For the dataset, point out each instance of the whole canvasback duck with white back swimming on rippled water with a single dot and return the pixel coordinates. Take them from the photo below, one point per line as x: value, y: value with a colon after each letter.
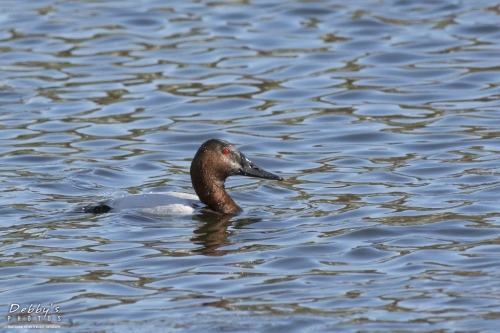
x: 214, y: 161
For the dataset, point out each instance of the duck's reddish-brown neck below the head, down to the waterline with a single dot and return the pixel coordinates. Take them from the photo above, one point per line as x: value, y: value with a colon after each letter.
x: 214, y: 195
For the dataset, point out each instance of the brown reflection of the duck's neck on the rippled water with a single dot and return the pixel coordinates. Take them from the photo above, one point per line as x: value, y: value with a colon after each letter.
x: 213, y: 233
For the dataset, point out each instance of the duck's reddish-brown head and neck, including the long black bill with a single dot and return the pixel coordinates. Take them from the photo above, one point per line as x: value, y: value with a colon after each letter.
x: 214, y: 161
